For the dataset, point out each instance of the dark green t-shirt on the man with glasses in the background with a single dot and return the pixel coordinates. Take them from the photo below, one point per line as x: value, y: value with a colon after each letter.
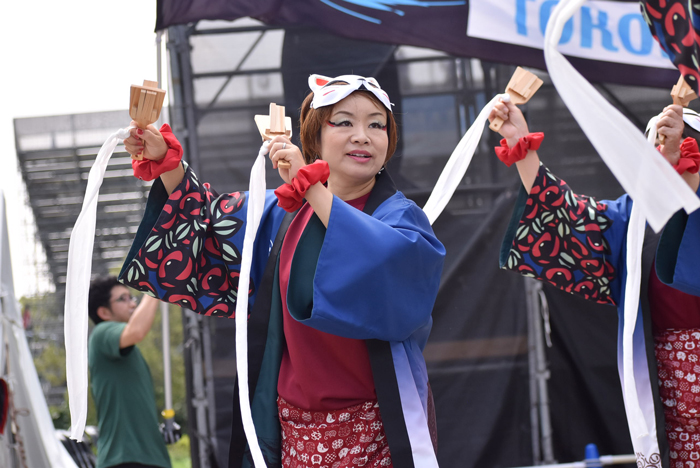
x: 126, y: 407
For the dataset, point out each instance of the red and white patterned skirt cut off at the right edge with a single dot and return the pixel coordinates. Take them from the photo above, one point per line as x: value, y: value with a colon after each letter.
x: 678, y: 358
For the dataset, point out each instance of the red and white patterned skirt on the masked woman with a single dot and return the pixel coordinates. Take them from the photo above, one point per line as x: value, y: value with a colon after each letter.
x: 351, y: 437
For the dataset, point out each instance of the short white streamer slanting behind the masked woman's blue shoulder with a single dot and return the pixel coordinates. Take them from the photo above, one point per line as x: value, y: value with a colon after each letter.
x: 458, y: 163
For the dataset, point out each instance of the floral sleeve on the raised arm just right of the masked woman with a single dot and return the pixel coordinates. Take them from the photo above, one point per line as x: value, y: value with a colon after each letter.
x: 570, y: 241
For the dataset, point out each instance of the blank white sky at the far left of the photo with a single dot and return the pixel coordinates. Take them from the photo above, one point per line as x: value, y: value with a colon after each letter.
x: 63, y: 57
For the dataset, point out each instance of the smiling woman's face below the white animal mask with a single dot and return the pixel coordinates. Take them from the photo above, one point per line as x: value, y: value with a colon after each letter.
x: 354, y: 141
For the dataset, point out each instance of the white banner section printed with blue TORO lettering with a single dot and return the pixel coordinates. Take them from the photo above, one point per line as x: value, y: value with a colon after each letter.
x: 601, y: 30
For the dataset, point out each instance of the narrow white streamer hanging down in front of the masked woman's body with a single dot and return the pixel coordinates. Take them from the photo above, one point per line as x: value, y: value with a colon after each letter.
x: 256, y: 205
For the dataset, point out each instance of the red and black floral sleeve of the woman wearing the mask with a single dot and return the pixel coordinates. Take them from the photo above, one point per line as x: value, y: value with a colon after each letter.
x: 188, y: 246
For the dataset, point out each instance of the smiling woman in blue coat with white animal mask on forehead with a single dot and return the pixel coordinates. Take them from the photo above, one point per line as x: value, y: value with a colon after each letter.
x: 341, y: 303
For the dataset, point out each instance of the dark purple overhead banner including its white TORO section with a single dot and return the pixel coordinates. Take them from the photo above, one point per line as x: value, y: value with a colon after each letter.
x: 607, y: 40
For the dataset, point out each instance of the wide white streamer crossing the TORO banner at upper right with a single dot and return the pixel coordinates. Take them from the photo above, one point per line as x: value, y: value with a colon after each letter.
x: 636, y: 164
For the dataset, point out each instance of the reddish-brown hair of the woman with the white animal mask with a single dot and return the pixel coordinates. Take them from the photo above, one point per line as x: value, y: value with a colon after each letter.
x: 311, y: 121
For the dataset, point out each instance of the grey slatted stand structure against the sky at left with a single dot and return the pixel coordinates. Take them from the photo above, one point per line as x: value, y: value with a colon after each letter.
x: 55, y: 155
